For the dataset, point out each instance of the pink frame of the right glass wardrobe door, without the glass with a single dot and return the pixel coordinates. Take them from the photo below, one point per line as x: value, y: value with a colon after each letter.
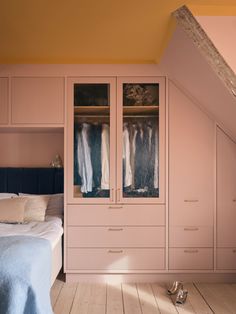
x: 141, y: 80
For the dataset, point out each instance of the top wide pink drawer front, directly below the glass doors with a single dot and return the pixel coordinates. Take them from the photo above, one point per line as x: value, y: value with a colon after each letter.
x: 115, y: 215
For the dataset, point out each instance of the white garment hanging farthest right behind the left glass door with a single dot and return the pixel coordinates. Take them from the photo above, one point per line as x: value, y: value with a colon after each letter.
x: 105, y: 157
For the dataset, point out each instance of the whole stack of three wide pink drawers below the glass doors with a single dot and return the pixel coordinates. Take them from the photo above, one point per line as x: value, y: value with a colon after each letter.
x: 115, y: 238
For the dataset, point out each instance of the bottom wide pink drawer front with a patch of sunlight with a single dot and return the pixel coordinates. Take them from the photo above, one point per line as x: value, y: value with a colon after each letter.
x: 115, y: 259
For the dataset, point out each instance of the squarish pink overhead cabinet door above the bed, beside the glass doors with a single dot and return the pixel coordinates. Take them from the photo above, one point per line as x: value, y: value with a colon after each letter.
x: 37, y: 100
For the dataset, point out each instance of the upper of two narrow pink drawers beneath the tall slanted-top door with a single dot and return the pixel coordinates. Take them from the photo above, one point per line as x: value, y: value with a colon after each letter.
x: 191, y: 236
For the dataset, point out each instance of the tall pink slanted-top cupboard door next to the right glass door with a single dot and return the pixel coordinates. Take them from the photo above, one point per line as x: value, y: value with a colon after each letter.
x: 191, y: 162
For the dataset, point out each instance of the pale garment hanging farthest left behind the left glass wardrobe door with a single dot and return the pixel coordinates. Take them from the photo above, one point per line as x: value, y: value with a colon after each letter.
x: 84, y: 159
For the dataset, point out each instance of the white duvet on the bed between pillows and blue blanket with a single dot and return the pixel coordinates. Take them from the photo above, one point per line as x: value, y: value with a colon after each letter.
x: 50, y: 229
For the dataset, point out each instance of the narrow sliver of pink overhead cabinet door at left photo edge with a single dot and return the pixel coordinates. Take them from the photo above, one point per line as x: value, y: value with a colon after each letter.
x: 4, y: 85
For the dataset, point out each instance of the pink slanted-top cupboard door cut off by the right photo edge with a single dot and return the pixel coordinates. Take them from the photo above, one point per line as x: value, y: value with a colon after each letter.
x: 226, y: 190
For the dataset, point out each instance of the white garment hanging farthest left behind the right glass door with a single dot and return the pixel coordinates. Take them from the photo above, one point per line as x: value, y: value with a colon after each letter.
x: 126, y: 157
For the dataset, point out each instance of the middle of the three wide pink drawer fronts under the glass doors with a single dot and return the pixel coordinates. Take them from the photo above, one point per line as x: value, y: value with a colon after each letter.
x: 116, y: 236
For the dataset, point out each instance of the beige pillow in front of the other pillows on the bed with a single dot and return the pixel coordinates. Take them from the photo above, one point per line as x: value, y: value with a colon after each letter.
x: 12, y: 209
